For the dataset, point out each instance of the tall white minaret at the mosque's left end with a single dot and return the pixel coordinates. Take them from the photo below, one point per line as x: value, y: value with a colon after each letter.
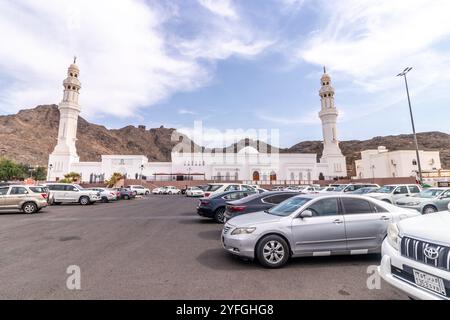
x: 65, y: 152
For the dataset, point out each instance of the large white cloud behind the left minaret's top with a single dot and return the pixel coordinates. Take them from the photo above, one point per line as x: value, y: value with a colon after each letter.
x: 127, y: 56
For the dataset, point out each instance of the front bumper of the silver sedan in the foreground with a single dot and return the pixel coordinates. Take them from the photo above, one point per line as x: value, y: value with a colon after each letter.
x: 239, y: 245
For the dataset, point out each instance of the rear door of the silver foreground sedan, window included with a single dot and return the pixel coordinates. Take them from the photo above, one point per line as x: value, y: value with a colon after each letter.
x: 365, y: 223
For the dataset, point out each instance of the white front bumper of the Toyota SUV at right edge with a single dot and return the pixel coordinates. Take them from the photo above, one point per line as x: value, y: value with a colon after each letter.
x: 393, y: 264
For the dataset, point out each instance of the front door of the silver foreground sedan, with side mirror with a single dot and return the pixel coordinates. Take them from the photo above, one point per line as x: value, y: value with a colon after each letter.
x: 323, y: 233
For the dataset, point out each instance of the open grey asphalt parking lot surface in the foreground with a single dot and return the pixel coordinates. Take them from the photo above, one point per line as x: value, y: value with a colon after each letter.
x: 157, y: 248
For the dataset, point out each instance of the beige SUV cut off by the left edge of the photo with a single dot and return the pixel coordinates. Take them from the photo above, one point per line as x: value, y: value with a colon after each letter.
x: 27, y: 199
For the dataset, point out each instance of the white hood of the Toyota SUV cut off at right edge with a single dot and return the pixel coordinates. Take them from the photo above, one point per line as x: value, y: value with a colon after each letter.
x: 433, y: 227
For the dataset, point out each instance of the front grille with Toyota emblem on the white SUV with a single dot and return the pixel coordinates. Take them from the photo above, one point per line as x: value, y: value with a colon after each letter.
x: 414, y: 249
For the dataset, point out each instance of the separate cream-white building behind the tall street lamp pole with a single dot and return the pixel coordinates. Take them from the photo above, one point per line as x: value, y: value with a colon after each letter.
x: 382, y: 163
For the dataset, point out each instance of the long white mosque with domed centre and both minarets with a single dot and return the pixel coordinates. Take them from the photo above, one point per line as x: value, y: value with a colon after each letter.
x: 248, y: 164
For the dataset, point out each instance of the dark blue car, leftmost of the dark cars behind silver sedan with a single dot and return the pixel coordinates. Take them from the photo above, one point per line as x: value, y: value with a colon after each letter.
x: 214, y: 207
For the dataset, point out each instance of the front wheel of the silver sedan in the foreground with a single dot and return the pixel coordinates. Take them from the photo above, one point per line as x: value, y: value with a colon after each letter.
x: 272, y: 251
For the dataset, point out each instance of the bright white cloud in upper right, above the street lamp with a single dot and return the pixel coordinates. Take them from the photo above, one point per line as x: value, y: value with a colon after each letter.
x: 370, y: 42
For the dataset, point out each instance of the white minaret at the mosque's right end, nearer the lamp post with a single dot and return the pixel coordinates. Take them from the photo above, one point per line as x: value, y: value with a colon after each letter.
x: 332, y: 154
